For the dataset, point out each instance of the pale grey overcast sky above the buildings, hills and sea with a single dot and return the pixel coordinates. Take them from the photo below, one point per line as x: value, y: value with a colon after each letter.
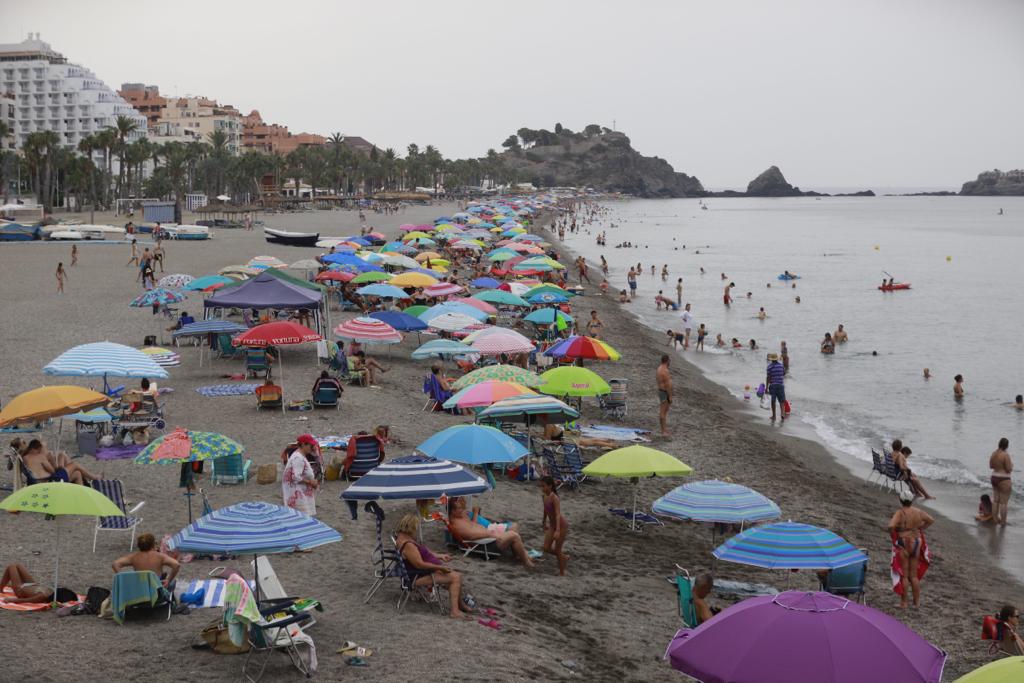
x: 858, y: 94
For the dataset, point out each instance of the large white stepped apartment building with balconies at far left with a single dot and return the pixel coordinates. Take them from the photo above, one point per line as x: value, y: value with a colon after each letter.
x: 52, y: 94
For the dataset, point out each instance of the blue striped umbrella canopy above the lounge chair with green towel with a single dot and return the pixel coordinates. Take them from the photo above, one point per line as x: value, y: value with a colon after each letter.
x: 253, y: 529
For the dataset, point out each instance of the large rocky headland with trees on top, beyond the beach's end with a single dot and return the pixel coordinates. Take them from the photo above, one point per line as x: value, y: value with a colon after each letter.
x: 596, y: 158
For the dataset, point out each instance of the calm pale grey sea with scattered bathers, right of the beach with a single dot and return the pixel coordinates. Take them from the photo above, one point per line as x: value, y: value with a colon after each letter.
x: 965, y: 315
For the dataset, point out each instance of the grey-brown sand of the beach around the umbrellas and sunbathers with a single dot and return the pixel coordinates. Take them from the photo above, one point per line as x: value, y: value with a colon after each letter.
x: 611, y: 619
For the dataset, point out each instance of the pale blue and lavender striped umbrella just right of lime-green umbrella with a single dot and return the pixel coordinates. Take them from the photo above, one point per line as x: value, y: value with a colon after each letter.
x: 715, y: 501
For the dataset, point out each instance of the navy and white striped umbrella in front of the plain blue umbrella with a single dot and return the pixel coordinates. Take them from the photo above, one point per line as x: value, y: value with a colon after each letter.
x: 415, y: 479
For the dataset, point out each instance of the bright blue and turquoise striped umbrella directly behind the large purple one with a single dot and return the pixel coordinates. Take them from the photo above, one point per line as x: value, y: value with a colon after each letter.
x: 790, y: 546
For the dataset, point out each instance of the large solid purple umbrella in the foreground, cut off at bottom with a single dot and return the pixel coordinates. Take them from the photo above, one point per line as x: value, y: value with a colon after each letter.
x: 797, y: 636
